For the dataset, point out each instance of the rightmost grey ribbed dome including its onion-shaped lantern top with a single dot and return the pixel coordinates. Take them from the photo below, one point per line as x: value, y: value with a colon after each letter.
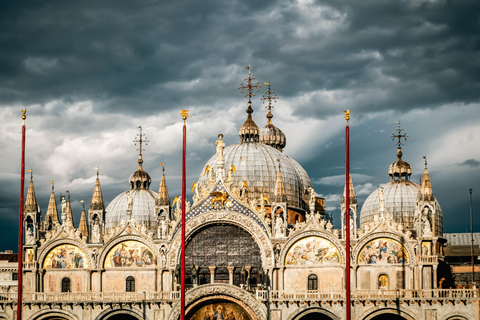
x: 400, y: 198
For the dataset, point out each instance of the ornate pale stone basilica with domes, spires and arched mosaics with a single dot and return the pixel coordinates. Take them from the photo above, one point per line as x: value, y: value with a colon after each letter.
x: 259, y: 245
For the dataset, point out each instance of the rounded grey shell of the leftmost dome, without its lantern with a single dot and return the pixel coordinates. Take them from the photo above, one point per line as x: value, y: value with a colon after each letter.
x: 143, y: 208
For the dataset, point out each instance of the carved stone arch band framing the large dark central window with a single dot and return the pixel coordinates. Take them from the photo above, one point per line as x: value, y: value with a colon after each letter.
x: 224, y: 217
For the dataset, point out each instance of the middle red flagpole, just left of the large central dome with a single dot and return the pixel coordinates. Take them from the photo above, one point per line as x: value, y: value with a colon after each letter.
x: 184, y: 114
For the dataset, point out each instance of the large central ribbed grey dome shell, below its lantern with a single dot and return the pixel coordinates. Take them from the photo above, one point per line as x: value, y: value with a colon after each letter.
x: 258, y: 164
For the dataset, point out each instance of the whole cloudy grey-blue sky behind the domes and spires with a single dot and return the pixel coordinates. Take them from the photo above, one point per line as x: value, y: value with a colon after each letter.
x: 90, y: 72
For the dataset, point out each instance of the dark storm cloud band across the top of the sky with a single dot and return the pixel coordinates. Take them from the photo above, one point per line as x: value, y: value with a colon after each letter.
x: 386, y: 55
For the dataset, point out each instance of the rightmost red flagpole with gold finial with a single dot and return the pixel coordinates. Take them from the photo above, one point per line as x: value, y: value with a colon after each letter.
x: 347, y: 215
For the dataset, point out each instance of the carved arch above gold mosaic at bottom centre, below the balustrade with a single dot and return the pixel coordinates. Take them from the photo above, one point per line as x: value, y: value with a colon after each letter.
x: 224, y: 292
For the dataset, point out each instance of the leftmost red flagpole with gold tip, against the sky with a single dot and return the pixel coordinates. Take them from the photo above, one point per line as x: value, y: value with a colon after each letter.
x: 20, y: 222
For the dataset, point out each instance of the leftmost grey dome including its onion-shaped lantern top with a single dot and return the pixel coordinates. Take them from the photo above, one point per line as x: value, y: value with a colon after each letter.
x: 143, y: 201
